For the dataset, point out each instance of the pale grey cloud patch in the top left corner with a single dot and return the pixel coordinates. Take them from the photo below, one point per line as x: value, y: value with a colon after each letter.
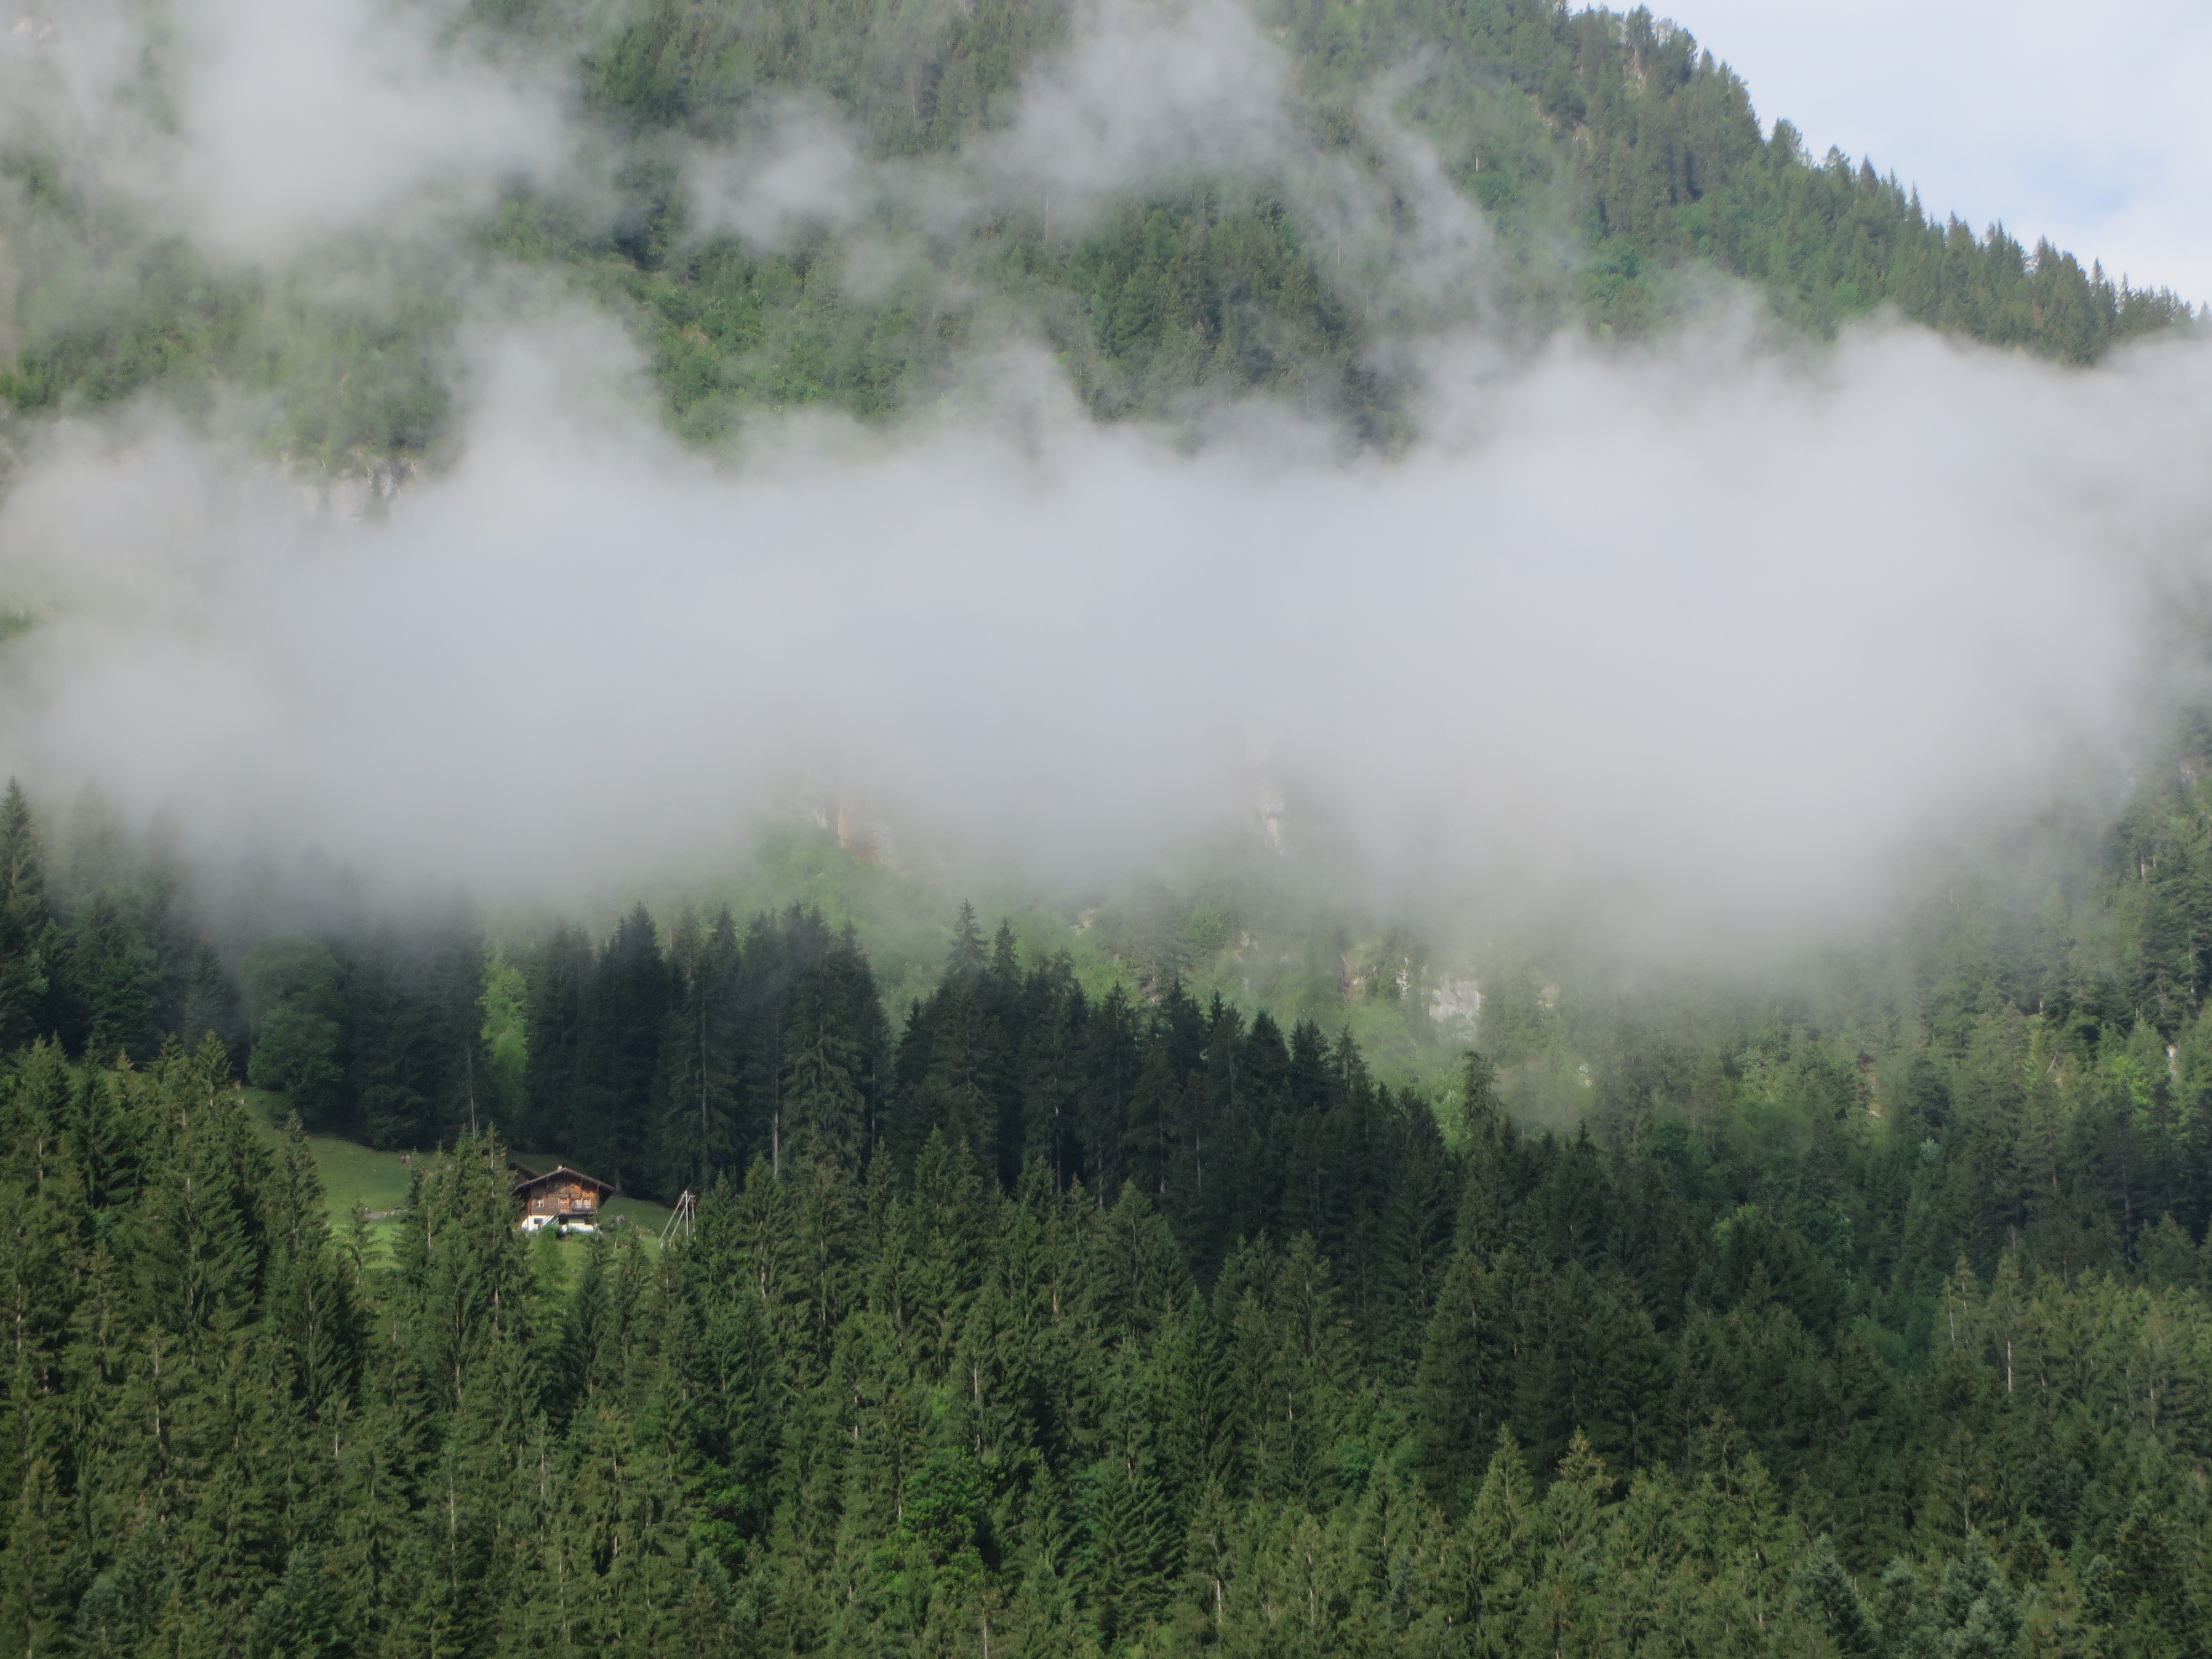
x: 262, y: 127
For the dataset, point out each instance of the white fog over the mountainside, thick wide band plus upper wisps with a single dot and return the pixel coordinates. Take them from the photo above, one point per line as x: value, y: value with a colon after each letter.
x: 1707, y: 634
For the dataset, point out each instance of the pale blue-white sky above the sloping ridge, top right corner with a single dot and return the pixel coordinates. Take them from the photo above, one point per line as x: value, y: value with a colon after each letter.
x: 2074, y: 123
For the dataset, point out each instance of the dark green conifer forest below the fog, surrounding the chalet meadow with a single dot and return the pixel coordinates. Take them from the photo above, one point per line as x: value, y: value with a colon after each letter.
x: 1872, y: 1324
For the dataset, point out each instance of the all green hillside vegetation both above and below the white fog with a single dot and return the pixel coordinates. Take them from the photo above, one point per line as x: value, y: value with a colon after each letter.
x: 1204, y: 1269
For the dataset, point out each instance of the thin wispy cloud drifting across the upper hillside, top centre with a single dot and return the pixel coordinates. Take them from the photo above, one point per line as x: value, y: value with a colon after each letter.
x: 1147, y: 98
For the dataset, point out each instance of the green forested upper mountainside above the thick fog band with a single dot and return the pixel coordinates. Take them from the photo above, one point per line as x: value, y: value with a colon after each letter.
x: 1618, y: 163
